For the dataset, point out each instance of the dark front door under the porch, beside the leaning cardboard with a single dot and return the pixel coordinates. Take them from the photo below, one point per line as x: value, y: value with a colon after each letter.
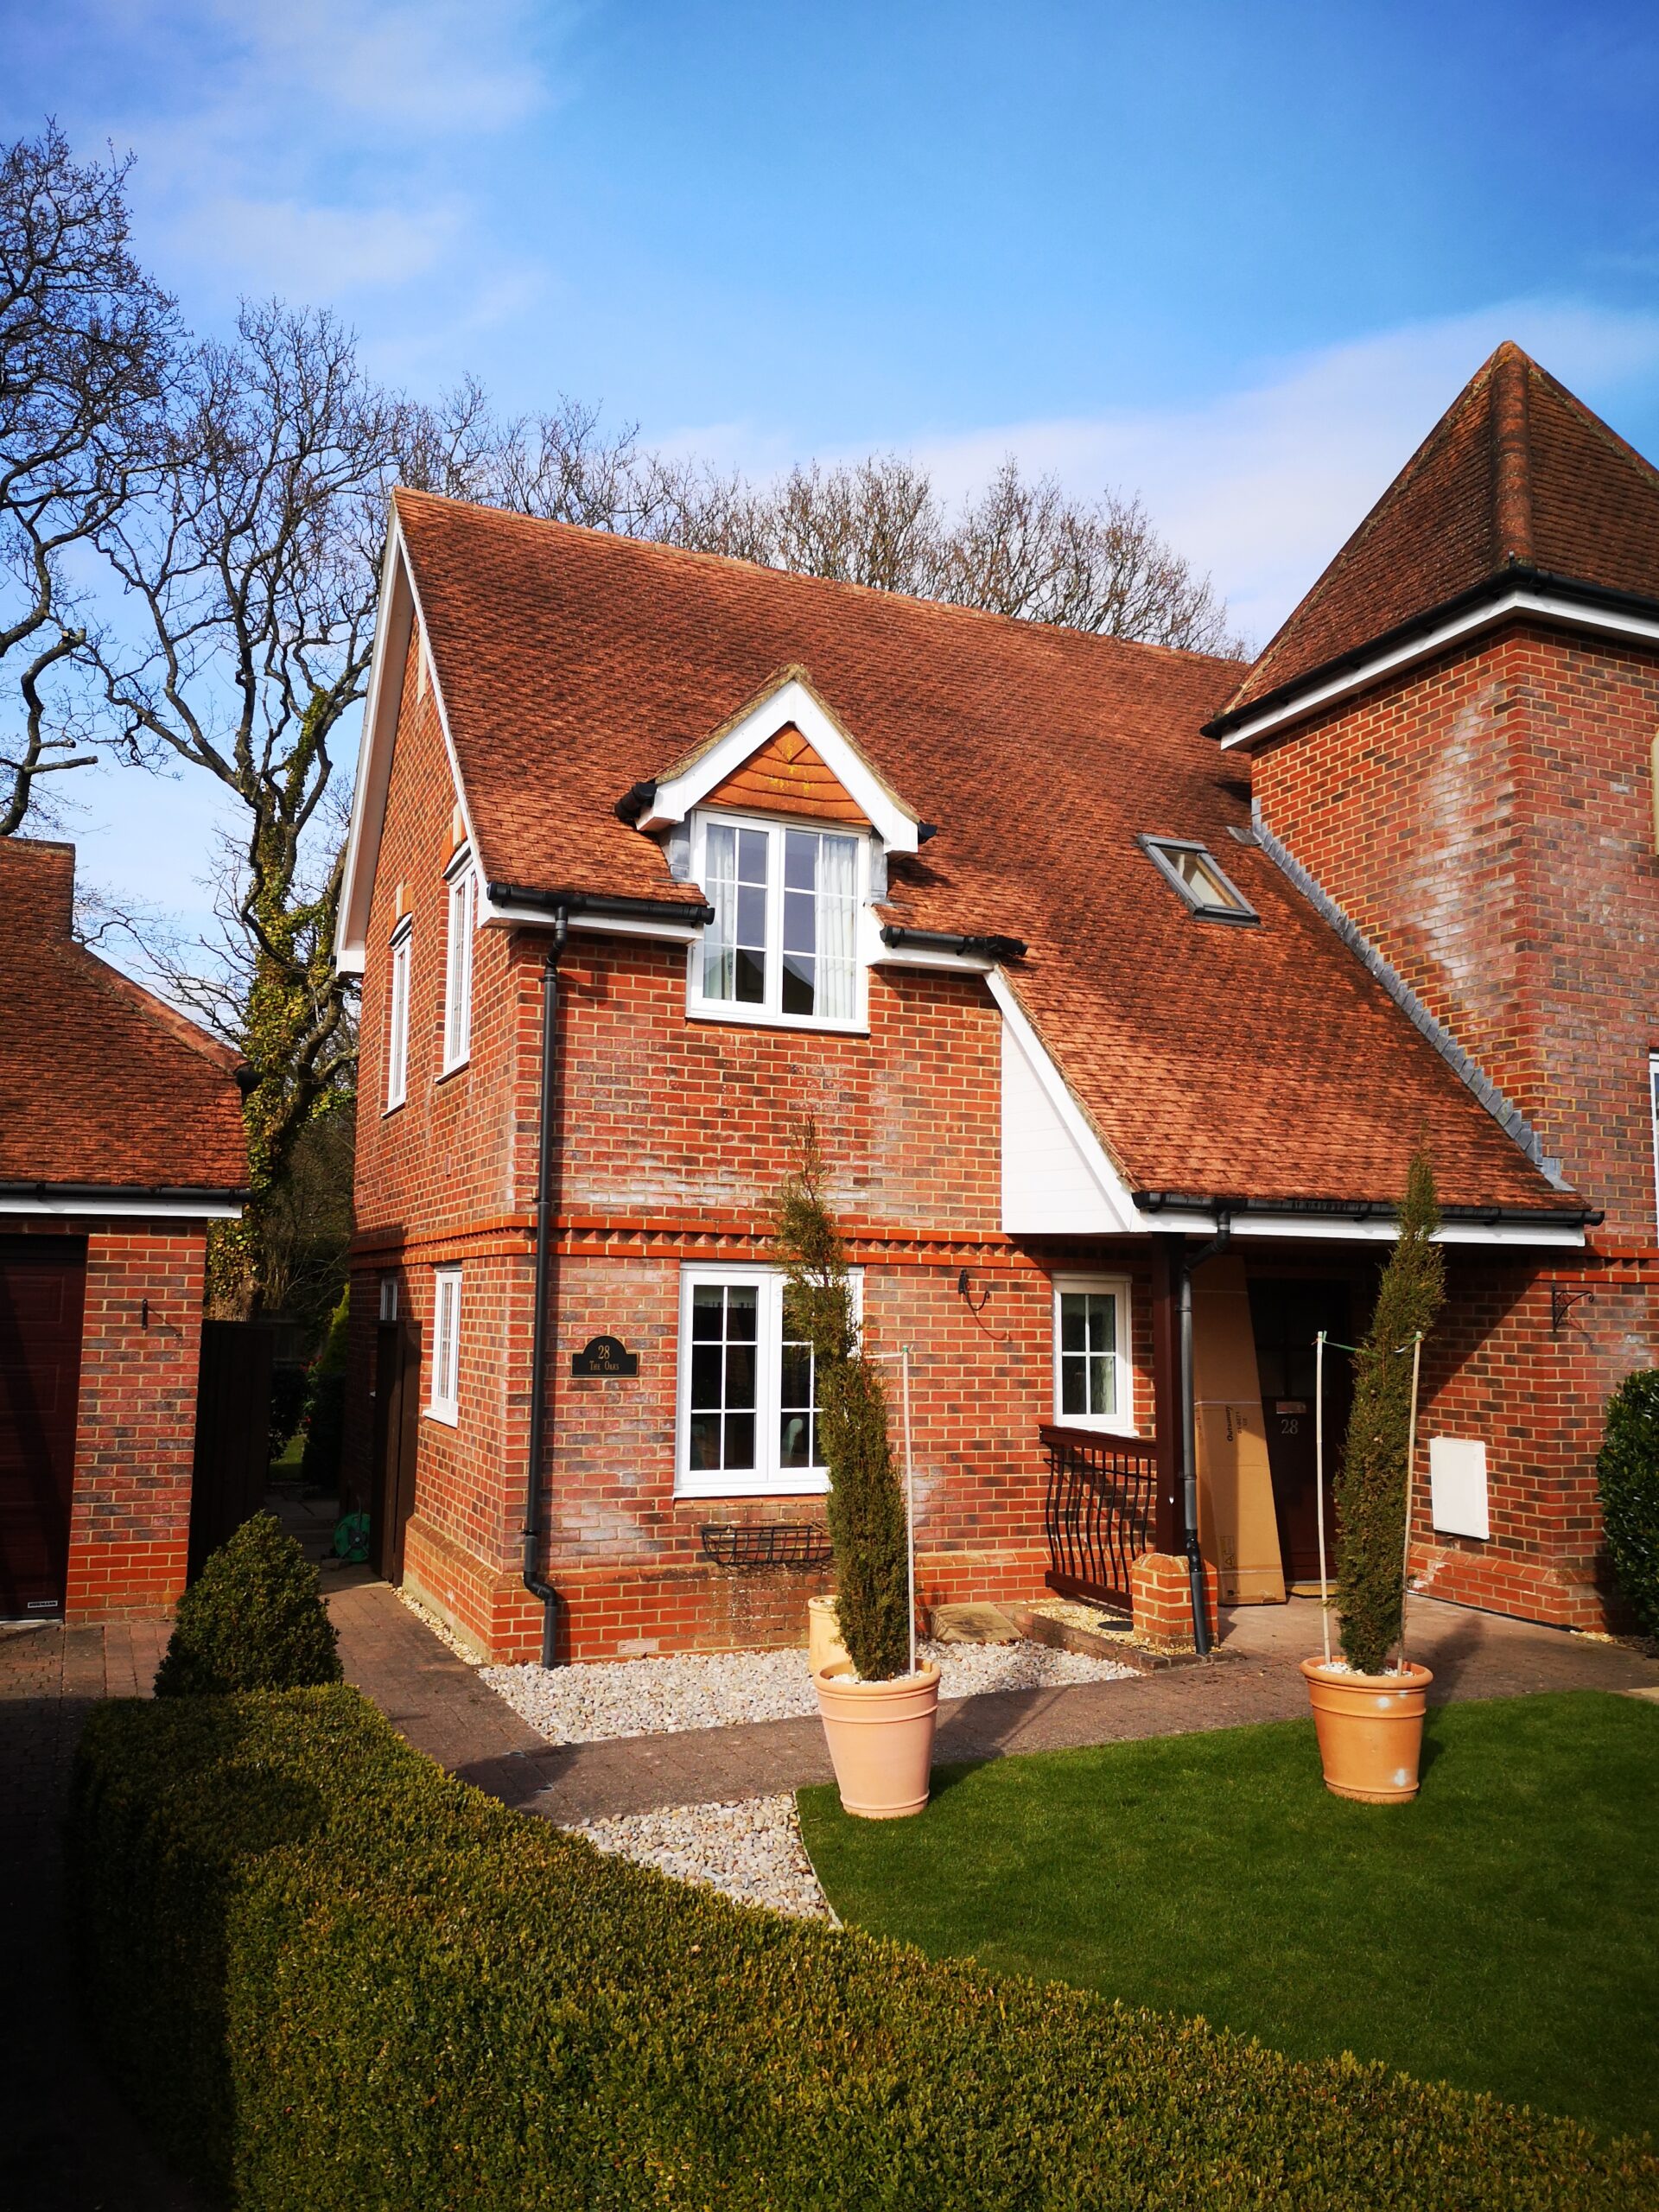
x: 1288, y: 1317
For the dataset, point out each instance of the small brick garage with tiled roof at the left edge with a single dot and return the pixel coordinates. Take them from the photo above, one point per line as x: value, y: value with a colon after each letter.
x: 121, y: 1140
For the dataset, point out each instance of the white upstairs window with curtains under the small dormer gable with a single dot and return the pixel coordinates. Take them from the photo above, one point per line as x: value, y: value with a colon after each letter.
x: 784, y: 939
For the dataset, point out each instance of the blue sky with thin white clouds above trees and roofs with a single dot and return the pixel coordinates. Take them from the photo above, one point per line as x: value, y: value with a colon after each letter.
x: 1235, y: 258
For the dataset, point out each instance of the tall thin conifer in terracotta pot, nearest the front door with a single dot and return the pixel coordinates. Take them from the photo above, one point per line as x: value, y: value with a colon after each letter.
x: 1368, y: 1704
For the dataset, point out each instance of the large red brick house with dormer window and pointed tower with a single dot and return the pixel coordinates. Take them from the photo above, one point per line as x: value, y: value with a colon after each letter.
x: 1120, y: 985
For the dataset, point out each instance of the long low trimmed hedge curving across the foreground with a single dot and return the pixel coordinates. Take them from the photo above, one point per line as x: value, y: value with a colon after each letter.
x: 337, y: 1979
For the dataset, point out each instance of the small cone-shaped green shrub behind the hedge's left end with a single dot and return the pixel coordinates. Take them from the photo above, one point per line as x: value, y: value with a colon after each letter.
x: 253, y: 1620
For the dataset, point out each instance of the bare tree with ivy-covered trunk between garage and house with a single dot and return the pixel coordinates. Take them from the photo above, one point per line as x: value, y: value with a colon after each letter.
x: 251, y: 570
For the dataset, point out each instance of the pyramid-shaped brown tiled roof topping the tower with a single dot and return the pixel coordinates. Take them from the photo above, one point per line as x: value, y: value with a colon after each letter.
x: 1514, y: 474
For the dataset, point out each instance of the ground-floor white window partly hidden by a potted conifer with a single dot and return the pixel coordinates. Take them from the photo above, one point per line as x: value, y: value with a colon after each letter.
x: 749, y: 1399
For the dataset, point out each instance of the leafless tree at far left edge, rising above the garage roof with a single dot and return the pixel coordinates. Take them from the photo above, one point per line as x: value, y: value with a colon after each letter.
x: 85, y: 353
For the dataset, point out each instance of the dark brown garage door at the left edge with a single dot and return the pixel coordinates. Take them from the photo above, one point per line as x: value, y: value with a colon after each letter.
x: 43, y: 1284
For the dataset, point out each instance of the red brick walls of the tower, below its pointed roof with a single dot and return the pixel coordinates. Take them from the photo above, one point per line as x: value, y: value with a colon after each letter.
x: 1488, y: 822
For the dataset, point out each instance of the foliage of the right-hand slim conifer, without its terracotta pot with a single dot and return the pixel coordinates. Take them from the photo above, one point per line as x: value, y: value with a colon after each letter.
x: 1370, y: 1488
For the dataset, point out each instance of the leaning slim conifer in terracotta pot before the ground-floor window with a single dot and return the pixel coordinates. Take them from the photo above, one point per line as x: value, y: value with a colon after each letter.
x: 877, y: 1713
